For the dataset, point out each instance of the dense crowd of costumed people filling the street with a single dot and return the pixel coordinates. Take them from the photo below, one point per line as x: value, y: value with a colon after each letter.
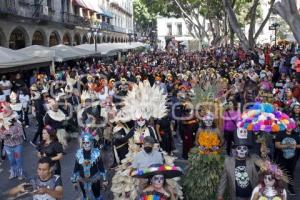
x: 140, y: 106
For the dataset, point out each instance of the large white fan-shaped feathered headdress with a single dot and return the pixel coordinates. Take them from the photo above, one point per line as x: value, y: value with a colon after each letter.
x: 143, y: 101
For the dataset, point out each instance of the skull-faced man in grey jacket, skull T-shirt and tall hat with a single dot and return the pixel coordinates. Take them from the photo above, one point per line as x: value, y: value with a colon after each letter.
x: 239, y: 174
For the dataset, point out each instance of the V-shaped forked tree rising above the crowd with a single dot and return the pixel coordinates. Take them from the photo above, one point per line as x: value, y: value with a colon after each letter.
x: 247, y: 43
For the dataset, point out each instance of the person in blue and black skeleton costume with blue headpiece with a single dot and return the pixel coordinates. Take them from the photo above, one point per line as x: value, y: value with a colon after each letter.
x: 89, y: 169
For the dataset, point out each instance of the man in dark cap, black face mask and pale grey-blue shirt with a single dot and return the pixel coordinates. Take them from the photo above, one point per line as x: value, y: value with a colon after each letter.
x: 147, y: 156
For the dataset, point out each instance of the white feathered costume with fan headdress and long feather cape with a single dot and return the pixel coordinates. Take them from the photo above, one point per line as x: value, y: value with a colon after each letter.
x: 141, y: 104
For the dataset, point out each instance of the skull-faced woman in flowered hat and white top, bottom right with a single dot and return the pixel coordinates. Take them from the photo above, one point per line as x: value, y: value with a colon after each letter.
x: 271, y: 185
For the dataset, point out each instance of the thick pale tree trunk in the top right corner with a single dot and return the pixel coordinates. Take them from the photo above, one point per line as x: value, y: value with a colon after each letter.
x: 287, y: 9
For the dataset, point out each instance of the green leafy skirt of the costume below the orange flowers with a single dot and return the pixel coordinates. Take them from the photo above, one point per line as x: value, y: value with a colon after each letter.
x: 202, y: 178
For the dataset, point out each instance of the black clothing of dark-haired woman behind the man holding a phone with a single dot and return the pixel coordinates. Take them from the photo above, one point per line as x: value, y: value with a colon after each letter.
x: 51, y: 150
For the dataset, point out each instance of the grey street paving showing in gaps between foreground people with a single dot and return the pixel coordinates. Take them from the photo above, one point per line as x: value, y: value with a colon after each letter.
x: 30, y: 160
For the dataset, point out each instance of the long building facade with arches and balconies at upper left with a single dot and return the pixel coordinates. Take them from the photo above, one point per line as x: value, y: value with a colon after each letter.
x: 70, y: 22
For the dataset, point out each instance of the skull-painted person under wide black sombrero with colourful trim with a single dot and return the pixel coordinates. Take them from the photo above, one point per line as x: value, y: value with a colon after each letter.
x: 158, y: 188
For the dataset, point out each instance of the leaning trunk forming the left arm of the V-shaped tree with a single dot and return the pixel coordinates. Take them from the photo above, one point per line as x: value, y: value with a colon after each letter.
x: 235, y: 25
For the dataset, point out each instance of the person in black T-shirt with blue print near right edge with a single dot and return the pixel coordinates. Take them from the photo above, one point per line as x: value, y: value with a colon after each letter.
x: 288, y: 143
